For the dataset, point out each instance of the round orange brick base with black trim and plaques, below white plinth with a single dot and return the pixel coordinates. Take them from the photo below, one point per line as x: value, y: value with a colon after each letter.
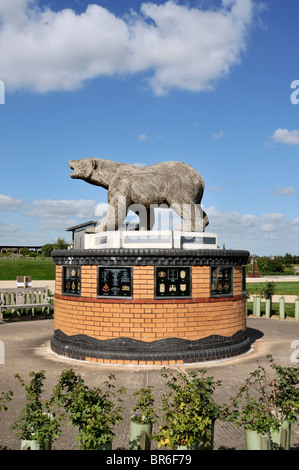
x: 150, y: 306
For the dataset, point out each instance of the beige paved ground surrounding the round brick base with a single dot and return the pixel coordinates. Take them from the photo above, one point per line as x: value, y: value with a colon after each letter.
x: 27, y: 348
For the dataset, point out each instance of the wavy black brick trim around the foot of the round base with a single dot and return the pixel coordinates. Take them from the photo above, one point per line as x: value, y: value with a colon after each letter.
x: 213, y: 347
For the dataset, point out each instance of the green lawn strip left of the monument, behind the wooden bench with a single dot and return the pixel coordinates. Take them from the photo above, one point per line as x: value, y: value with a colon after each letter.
x: 40, y: 269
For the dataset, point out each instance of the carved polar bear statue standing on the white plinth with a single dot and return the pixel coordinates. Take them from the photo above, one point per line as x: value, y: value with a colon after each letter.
x: 169, y: 184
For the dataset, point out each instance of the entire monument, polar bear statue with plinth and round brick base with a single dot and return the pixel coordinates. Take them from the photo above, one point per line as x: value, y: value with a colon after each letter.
x: 148, y: 297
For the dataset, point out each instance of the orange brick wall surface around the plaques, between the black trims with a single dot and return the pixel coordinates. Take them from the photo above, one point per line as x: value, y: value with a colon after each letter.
x: 148, y: 319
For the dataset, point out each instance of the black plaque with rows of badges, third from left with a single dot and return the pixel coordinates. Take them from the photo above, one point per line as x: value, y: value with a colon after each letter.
x: 172, y: 282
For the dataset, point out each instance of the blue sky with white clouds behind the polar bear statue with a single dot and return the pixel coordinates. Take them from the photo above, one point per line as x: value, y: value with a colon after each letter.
x: 205, y: 82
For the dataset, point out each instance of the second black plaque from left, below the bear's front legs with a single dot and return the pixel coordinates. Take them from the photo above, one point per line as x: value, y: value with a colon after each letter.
x: 115, y: 282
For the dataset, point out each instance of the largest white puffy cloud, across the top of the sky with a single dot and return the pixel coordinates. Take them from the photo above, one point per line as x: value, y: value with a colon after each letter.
x: 178, y: 46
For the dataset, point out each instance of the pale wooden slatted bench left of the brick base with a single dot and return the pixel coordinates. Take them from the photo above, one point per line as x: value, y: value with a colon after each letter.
x: 27, y: 298
